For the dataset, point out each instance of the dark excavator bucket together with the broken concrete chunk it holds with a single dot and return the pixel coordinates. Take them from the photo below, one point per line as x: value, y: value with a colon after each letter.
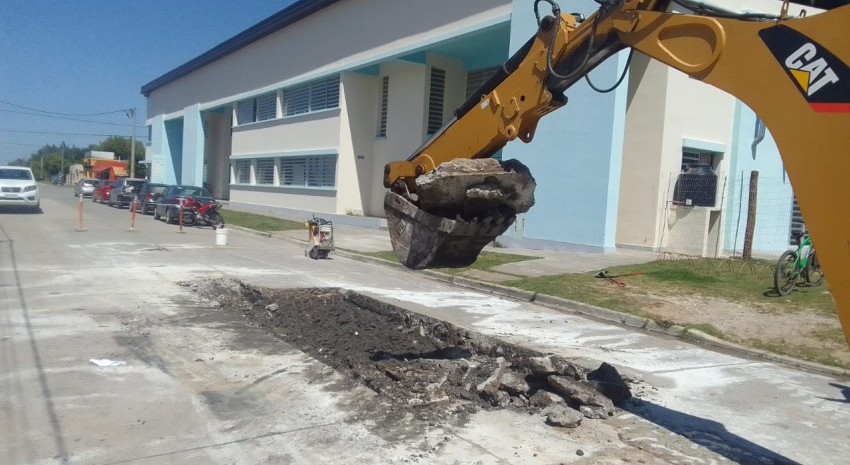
x: 463, y: 206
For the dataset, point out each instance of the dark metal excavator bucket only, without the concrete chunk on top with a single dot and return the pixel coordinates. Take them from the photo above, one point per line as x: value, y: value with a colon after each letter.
x: 422, y: 240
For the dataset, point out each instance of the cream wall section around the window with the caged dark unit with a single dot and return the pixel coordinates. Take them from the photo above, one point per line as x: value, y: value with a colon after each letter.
x: 668, y: 111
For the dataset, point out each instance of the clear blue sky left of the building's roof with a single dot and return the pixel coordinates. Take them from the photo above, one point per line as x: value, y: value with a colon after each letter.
x: 87, y: 60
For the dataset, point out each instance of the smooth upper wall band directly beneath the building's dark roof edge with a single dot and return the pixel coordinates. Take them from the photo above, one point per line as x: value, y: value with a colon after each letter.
x: 340, y: 37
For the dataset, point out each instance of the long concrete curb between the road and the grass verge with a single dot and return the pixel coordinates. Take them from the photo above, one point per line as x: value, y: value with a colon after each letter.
x: 566, y: 305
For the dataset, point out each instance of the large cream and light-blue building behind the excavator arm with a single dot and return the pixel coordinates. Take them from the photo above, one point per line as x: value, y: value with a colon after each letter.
x: 301, y: 112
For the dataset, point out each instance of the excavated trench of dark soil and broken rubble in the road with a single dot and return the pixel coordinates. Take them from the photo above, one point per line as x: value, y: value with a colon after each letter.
x: 419, y: 365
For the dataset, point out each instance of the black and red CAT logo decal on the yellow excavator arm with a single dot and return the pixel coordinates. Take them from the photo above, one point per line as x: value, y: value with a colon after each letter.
x: 823, y: 79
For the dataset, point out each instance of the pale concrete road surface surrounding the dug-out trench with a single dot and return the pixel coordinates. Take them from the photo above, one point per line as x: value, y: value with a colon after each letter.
x: 194, y: 384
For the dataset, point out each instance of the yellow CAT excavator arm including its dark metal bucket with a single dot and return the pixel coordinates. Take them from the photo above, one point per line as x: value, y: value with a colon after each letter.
x: 791, y: 71
